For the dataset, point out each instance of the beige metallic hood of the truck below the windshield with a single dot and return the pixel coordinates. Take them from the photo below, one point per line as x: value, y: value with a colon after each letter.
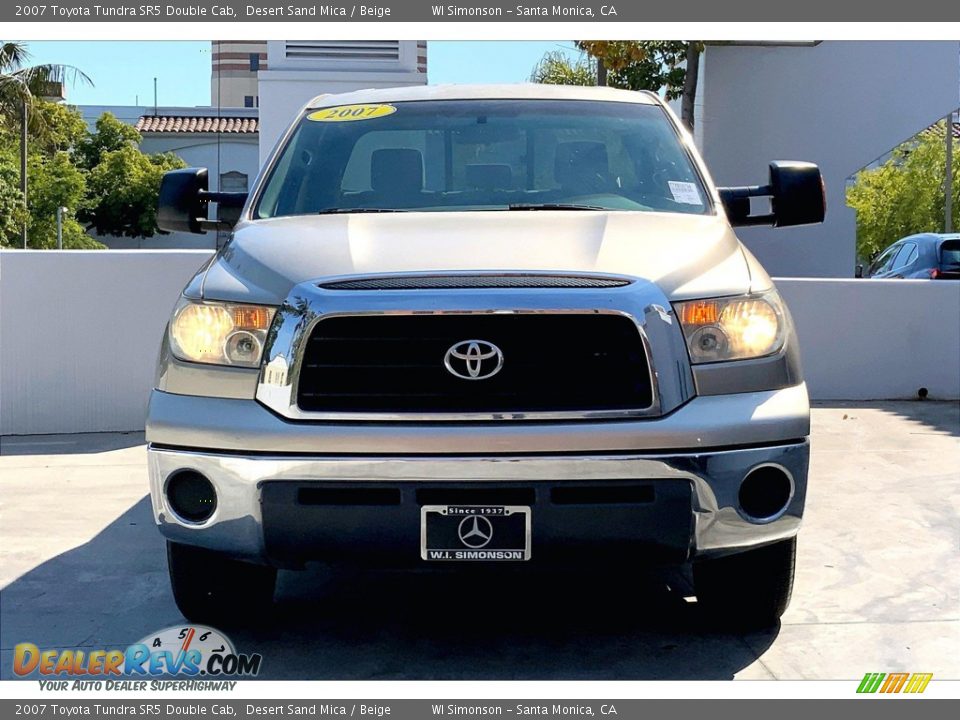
x: 687, y: 256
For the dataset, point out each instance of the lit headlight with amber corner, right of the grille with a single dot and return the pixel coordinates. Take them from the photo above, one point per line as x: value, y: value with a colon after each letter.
x: 733, y: 328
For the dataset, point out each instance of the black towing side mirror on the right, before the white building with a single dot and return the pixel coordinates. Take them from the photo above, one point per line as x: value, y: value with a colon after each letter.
x: 796, y: 192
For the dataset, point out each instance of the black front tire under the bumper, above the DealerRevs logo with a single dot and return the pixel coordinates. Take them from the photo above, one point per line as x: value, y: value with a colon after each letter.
x: 212, y: 588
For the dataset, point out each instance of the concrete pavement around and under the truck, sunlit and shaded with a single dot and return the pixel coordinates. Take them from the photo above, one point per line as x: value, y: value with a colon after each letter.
x: 878, y: 577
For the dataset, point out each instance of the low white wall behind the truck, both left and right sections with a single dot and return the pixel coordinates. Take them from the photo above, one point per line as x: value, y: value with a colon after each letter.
x: 80, y: 331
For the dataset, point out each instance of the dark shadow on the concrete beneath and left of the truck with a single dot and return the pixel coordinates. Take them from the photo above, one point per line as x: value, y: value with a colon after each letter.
x: 336, y: 625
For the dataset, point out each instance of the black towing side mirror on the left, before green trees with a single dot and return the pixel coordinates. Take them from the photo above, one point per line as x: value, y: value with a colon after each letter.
x: 184, y: 199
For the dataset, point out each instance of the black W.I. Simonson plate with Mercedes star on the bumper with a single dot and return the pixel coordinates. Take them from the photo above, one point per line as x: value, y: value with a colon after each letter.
x: 475, y: 532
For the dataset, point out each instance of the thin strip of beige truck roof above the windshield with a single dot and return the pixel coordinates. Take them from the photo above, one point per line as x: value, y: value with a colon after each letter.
x: 532, y: 91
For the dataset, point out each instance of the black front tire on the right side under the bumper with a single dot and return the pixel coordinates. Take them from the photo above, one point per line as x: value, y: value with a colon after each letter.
x: 749, y: 590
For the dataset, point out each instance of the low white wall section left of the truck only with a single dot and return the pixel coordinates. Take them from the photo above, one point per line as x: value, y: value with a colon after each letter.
x: 79, y: 335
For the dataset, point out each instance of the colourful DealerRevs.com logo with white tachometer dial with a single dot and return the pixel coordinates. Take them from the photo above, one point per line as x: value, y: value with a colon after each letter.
x: 182, y: 650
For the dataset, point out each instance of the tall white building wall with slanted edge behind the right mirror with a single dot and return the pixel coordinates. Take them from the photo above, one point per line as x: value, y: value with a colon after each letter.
x: 838, y: 104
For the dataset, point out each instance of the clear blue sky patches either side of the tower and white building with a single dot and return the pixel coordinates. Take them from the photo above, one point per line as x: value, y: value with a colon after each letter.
x: 123, y: 72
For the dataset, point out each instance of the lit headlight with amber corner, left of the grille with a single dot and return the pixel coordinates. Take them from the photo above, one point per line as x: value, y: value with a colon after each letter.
x: 219, y: 333
